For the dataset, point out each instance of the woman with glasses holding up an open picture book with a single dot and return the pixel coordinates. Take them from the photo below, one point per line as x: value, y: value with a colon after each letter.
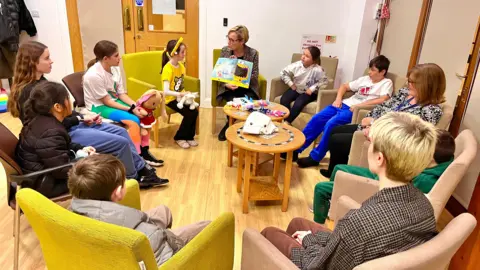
x: 237, y: 38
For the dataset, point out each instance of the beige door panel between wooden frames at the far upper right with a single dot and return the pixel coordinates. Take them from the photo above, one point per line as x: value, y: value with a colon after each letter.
x: 448, y: 40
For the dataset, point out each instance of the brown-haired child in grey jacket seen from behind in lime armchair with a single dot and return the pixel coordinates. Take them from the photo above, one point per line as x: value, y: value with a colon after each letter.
x: 97, y: 184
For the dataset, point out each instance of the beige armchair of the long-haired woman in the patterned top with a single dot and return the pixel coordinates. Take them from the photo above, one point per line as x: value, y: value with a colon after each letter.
x: 359, y: 148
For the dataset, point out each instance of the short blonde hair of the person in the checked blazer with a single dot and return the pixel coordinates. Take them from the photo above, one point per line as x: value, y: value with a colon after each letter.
x: 406, y: 142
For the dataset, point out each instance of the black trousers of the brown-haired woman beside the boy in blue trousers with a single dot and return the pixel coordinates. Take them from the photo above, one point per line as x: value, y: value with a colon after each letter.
x: 339, y: 145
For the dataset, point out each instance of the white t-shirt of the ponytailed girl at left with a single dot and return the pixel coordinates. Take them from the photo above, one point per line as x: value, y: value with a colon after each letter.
x: 98, y: 83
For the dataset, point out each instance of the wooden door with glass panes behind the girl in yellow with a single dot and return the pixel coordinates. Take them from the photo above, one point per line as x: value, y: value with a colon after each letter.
x: 147, y: 30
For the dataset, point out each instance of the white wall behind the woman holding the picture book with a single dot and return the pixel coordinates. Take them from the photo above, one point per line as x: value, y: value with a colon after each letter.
x: 276, y: 28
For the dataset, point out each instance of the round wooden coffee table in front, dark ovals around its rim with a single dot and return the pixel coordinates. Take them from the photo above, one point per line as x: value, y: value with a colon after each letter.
x: 264, y: 188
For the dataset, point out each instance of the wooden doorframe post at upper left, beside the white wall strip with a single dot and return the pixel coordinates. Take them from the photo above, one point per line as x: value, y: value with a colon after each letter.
x: 75, y: 35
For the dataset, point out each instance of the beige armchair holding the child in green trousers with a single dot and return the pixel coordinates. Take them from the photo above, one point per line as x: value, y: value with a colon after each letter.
x: 360, y: 188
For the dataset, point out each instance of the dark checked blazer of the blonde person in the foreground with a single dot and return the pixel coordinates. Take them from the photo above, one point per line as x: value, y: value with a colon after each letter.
x: 393, y: 220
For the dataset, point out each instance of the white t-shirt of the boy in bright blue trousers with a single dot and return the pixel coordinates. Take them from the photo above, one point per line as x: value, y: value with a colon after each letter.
x: 365, y: 90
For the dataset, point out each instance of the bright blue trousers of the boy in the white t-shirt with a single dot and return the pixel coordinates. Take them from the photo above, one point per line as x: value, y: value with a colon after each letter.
x: 324, y: 121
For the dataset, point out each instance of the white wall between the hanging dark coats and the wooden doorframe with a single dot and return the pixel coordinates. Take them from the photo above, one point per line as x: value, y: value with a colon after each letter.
x: 52, y: 27
